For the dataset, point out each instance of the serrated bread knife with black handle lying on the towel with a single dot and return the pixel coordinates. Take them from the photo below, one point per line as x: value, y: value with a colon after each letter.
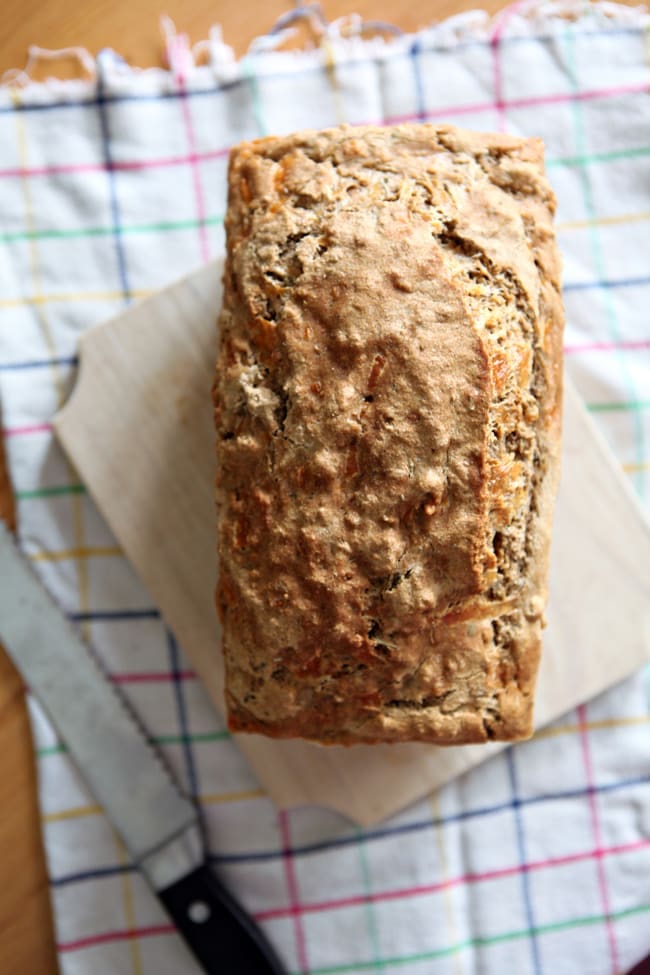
x: 159, y: 826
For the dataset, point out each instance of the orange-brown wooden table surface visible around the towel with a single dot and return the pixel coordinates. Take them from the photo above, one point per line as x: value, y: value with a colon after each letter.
x: 26, y: 934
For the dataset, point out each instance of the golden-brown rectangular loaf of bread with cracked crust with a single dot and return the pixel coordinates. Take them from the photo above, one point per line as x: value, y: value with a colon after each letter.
x: 388, y: 407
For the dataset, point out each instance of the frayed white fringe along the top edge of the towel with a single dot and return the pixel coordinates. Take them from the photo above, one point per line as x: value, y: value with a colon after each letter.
x: 345, y: 38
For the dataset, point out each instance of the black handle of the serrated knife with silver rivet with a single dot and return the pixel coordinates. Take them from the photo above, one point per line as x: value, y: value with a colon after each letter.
x: 223, y: 938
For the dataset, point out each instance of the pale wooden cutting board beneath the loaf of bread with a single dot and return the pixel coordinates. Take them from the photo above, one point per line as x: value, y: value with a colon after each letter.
x: 138, y: 427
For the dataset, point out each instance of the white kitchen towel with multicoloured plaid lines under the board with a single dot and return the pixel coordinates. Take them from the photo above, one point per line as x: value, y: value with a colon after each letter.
x: 536, y: 862
